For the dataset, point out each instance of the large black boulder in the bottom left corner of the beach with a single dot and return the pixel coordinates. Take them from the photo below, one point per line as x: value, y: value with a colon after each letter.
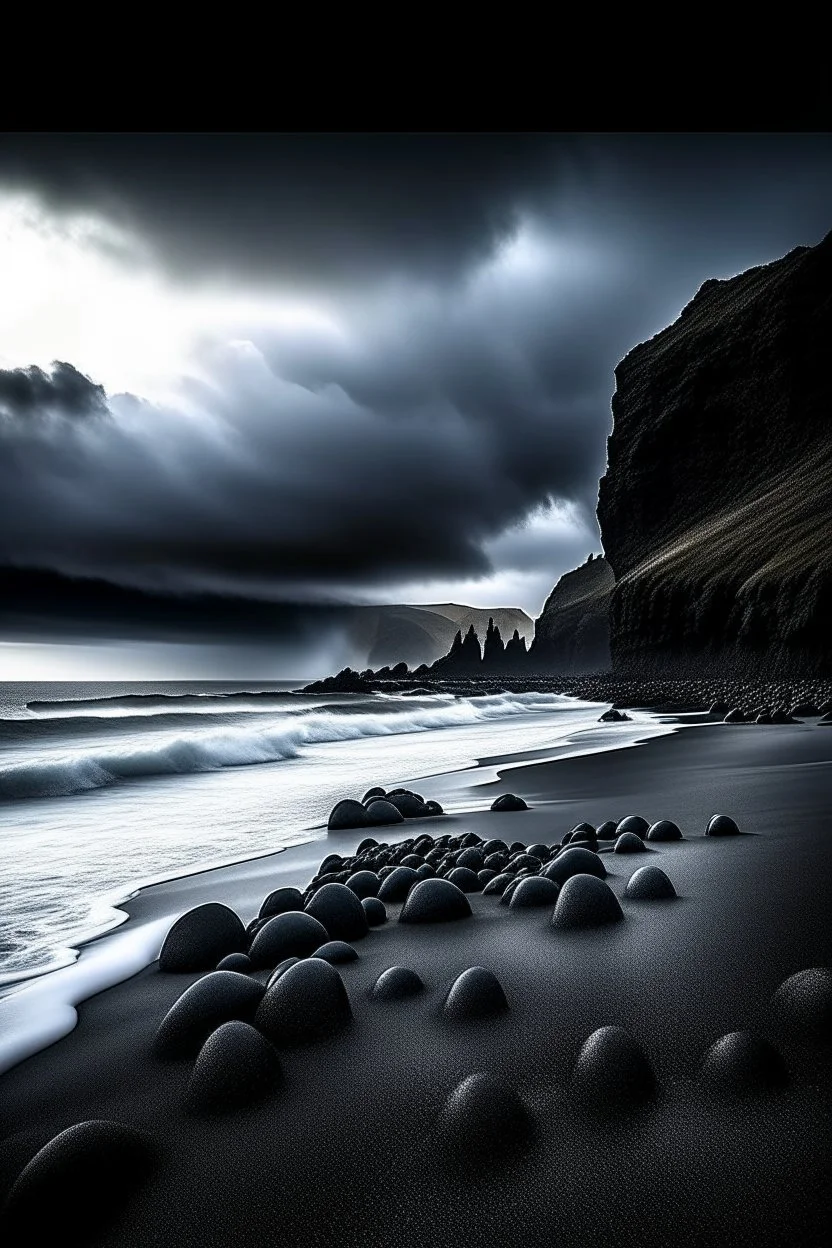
x: 87, y: 1176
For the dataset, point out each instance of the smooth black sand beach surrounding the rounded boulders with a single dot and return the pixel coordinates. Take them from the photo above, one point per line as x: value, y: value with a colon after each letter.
x: 355, y: 1148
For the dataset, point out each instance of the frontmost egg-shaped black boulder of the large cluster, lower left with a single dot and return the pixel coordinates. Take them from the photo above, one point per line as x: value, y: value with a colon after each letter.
x: 235, y: 1068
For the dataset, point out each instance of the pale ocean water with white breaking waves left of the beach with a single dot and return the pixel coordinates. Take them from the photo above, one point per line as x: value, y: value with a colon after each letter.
x: 108, y: 787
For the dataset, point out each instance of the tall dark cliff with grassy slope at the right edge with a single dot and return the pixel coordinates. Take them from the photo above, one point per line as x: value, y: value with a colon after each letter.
x: 715, y: 506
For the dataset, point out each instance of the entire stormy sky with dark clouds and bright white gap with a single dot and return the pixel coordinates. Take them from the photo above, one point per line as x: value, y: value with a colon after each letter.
x: 246, y: 379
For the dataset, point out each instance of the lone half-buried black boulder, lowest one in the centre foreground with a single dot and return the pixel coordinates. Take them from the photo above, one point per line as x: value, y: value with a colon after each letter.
x: 483, y: 1119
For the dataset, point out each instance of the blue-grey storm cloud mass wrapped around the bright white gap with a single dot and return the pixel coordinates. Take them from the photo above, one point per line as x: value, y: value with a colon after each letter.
x: 462, y: 388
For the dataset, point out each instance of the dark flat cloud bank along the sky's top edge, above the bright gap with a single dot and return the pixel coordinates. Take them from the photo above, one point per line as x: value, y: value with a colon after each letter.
x: 297, y: 208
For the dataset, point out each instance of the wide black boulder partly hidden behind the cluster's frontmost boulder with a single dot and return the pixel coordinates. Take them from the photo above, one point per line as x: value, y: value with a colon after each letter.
x: 215, y: 999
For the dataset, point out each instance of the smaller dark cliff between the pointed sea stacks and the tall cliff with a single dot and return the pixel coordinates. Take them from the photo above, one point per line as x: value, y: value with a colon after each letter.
x: 572, y: 633
